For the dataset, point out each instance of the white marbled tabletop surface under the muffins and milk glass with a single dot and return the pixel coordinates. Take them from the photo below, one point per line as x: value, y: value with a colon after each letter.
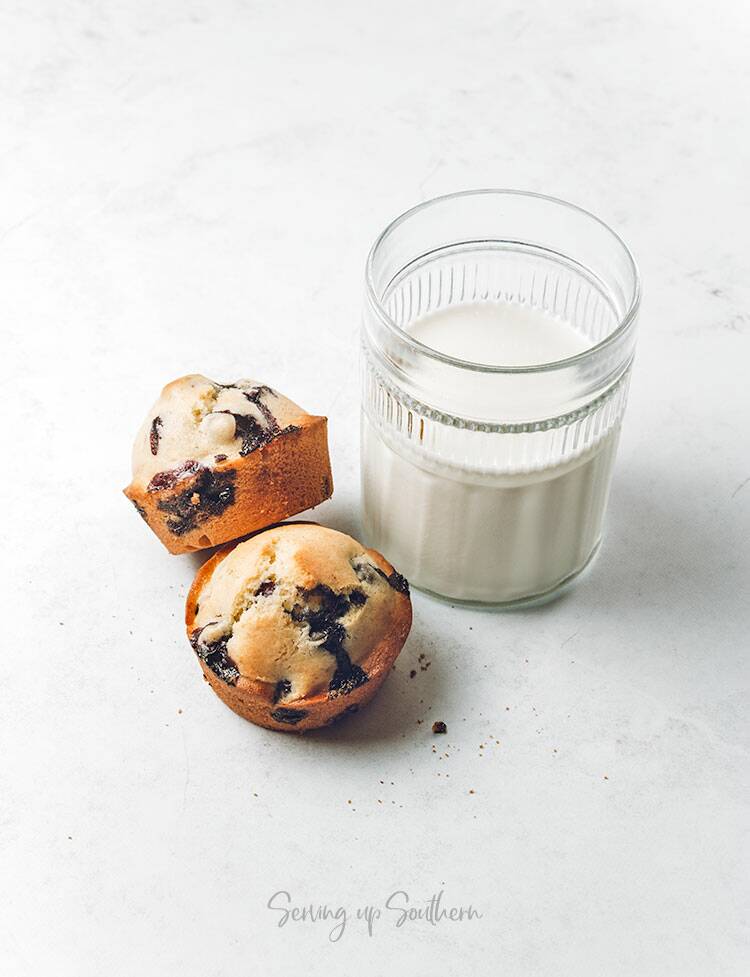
x: 194, y: 186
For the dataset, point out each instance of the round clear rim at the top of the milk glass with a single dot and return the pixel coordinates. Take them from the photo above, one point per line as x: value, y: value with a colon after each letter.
x: 624, y: 323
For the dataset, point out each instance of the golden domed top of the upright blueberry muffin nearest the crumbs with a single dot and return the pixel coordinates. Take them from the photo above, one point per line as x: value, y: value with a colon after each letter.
x: 297, y: 606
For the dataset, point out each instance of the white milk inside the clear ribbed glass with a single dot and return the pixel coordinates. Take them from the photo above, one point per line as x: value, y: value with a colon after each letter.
x: 472, y: 534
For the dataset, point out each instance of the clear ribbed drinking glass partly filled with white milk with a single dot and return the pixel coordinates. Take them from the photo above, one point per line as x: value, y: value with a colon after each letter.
x: 498, y: 337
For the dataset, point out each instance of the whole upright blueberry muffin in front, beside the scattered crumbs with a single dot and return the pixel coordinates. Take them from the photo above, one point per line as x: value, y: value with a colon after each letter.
x: 298, y: 625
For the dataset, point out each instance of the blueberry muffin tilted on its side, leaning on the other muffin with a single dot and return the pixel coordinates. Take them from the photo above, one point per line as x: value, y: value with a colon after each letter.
x: 216, y: 461
